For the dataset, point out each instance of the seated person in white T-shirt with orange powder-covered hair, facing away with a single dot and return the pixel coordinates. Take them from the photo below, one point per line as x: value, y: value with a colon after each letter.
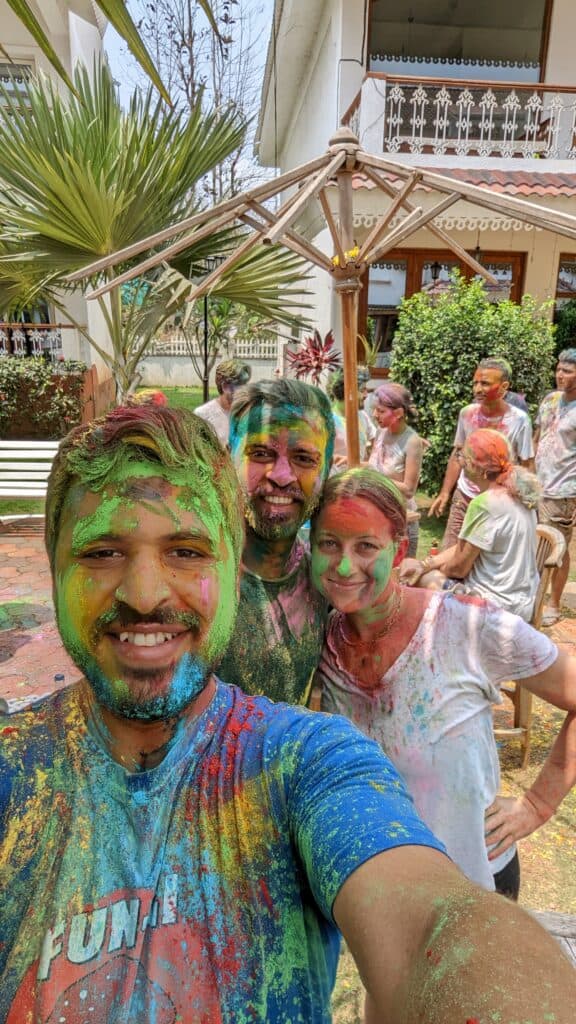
x: 496, y: 554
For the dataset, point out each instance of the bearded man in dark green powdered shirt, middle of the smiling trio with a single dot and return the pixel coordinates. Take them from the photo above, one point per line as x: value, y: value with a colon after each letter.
x: 281, y: 439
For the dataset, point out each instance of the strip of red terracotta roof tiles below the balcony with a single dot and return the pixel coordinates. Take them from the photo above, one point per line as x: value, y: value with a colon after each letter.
x: 509, y: 183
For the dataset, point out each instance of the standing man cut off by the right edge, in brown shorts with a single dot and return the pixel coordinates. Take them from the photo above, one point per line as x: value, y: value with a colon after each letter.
x: 556, y: 466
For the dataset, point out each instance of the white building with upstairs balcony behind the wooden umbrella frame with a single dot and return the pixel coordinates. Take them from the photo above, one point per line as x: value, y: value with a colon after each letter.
x: 485, y: 93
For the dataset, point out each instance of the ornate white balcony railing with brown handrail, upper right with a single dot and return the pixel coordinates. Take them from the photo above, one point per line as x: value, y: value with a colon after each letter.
x: 466, y: 118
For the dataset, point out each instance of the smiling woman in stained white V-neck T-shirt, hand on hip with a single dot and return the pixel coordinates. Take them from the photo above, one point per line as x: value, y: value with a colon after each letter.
x: 419, y: 672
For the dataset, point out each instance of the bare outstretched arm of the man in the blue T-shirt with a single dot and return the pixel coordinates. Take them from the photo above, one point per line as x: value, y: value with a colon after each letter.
x: 434, y: 949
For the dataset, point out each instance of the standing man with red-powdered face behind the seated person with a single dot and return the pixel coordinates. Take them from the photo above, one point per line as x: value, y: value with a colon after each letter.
x: 489, y: 410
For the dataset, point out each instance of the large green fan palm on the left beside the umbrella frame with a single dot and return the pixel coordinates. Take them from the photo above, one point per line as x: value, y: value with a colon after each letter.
x: 81, y: 179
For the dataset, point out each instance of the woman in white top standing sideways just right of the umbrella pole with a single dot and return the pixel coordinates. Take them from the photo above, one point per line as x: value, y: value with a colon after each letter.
x: 398, y: 450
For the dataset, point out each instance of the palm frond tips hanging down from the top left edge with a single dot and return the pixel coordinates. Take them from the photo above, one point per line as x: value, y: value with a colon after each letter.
x: 118, y: 16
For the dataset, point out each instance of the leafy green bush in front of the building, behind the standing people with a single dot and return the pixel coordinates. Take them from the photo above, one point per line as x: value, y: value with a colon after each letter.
x: 441, y: 340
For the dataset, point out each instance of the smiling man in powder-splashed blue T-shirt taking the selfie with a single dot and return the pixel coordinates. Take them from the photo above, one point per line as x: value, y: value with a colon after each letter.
x: 175, y: 850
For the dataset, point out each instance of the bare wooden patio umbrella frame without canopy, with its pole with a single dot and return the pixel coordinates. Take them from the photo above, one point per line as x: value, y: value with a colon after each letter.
x: 311, y: 183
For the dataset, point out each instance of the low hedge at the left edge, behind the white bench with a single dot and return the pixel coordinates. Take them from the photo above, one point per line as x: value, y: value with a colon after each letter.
x: 38, y: 399
